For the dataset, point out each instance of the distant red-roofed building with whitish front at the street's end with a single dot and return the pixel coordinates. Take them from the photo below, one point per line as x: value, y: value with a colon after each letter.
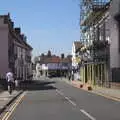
x: 53, y: 64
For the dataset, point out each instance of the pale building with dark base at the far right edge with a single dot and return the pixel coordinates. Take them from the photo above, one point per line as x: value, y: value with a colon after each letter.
x: 115, y: 40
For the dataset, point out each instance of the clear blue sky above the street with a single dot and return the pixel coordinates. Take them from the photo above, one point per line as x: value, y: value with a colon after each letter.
x: 48, y: 24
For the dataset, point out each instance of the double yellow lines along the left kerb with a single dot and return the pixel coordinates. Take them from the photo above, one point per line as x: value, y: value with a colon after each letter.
x: 13, y: 107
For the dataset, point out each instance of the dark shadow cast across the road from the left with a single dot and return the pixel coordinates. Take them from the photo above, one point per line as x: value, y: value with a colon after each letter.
x: 37, y: 85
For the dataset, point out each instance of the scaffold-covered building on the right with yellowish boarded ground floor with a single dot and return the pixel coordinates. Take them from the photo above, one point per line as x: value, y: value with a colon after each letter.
x: 95, y: 35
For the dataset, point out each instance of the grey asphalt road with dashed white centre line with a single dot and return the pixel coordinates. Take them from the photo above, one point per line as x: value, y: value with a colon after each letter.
x: 57, y: 100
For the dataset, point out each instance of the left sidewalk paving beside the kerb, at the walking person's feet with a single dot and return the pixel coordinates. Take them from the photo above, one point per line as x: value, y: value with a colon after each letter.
x: 6, y: 99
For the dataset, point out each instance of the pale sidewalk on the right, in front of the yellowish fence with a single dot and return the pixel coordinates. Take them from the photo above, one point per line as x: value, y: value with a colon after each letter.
x: 106, y: 92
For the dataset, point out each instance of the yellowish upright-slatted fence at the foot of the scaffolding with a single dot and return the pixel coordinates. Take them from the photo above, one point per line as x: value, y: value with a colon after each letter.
x: 95, y: 74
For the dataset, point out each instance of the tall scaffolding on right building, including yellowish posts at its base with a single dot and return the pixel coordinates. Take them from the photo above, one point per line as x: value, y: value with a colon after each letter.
x: 91, y: 12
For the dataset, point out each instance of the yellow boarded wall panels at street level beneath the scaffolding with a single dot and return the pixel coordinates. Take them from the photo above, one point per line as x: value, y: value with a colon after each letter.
x: 100, y: 73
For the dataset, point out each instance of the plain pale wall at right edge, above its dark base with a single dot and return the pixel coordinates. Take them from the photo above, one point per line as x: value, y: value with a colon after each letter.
x: 114, y: 36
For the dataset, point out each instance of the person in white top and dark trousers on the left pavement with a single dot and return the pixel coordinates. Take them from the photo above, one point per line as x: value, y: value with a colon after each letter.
x: 10, y: 81
